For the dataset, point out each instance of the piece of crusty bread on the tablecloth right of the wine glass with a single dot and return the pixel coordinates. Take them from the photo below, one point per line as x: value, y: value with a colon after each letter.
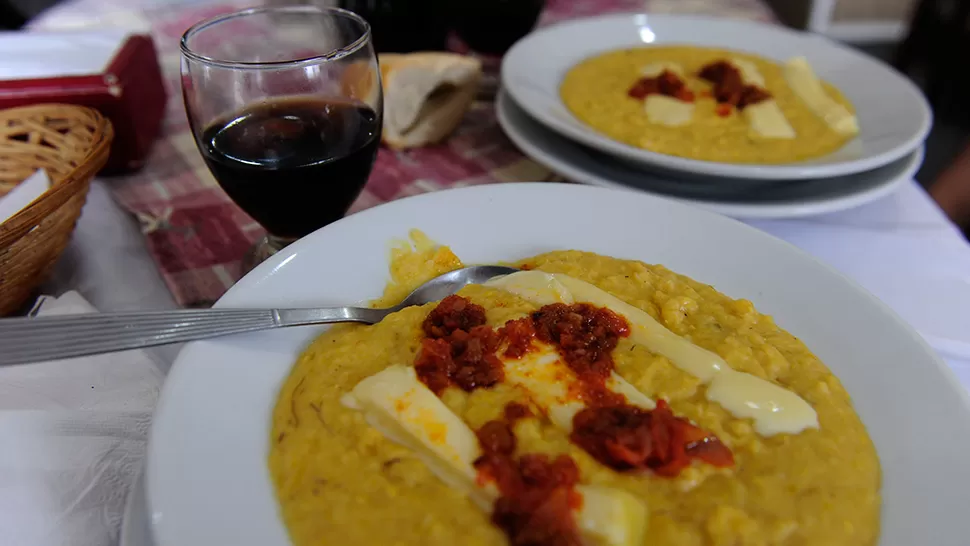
x: 426, y: 95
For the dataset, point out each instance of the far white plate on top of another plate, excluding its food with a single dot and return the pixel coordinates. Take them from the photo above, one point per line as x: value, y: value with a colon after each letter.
x: 893, y: 114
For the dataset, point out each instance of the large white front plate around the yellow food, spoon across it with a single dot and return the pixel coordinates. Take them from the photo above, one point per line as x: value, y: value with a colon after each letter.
x: 208, y: 483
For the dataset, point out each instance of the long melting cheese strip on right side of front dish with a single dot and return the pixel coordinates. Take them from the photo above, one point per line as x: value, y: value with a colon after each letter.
x: 773, y: 408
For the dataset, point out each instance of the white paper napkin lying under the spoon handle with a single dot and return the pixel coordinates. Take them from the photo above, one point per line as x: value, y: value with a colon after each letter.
x: 74, y: 435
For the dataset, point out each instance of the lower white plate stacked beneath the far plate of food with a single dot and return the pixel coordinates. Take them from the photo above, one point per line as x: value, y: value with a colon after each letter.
x: 737, y: 210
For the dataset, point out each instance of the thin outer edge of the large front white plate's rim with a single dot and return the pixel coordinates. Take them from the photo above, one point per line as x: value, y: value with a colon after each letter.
x: 252, y: 281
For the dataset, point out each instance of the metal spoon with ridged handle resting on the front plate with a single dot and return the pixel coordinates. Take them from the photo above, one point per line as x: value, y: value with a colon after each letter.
x: 24, y: 340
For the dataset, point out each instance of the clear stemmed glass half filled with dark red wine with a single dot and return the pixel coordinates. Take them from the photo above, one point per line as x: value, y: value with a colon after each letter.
x: 285, y: 104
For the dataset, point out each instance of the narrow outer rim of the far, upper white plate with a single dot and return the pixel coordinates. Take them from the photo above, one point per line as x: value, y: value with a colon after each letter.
x: 594, y: 139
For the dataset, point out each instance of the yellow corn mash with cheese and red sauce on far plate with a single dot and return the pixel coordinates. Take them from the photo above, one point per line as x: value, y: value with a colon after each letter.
x: 710, y: 104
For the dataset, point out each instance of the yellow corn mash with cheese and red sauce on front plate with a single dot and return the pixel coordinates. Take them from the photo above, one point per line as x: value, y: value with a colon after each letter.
x: 586, y: 400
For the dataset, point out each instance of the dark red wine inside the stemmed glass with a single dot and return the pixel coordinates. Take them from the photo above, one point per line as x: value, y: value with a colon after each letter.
x: 294, y: 165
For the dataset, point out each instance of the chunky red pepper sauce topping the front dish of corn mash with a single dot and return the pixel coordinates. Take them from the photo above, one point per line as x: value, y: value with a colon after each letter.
x: 460, y: 350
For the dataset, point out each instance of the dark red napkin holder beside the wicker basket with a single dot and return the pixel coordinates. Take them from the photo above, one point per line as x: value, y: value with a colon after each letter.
x: 130, y: 93
